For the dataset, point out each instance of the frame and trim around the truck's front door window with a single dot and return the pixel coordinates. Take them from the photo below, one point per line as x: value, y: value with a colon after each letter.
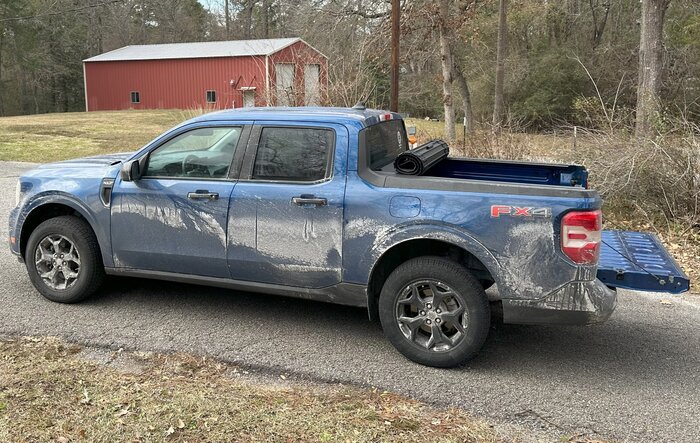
x: 234, y: 167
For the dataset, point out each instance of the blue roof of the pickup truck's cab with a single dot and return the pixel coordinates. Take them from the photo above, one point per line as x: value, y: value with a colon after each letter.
x: 361, y: 116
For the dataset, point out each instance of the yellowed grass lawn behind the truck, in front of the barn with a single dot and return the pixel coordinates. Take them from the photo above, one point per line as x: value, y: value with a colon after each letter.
x: 61, y: 136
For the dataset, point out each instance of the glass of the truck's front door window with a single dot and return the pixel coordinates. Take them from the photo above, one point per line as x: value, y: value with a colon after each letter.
x: 200, y: 153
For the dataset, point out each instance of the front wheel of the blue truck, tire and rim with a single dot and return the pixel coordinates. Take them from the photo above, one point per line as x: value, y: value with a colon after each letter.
x: 70, y: 243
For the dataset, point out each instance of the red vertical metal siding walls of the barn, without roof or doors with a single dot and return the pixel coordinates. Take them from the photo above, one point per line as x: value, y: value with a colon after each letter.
x: 182, y: 83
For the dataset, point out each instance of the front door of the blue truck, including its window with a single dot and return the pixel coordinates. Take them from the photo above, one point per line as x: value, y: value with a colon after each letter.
x: 174, y: 218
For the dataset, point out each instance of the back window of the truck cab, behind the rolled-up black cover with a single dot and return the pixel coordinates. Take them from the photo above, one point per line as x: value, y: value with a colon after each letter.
x: 384, y: 142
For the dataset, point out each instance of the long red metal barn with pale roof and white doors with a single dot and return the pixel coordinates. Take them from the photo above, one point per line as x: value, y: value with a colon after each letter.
x: 217, y: 75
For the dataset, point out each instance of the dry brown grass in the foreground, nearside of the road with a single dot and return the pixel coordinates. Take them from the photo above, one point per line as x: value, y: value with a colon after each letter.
x: 49, y: 391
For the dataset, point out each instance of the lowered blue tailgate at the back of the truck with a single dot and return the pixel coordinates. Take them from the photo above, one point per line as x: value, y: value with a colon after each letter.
x: 637, y: 260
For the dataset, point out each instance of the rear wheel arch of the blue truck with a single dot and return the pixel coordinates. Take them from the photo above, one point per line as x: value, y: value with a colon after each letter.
x: 445, y: 242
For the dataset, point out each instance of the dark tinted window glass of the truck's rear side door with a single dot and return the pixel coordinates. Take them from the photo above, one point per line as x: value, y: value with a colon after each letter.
x: 293, y: 154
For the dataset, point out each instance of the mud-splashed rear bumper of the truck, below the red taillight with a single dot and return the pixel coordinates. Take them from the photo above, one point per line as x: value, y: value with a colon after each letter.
x: 576, y: 303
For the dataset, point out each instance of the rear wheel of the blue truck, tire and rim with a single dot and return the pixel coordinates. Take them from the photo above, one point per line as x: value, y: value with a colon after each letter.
x: 442, y: 336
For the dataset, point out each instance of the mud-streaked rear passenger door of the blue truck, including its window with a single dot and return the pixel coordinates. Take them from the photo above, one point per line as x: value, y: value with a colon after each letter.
x: 286, y: 215
